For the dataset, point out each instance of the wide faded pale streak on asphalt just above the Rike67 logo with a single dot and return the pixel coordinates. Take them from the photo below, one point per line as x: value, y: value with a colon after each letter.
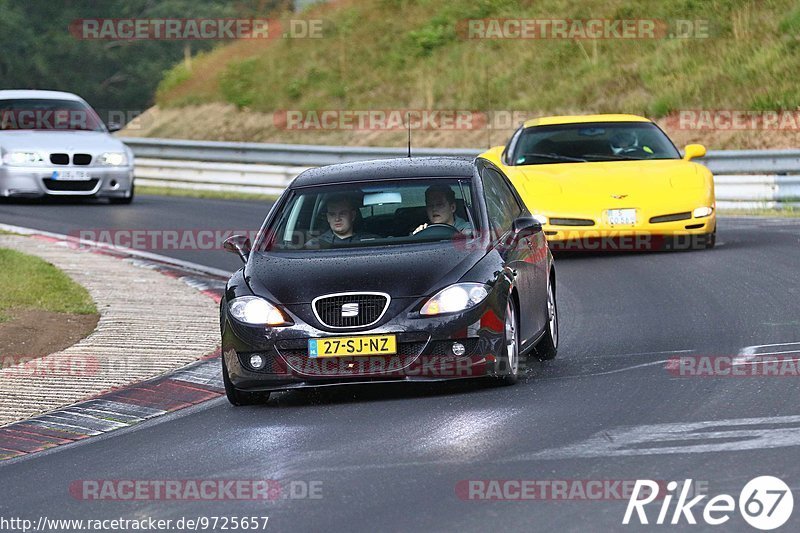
x: 682, y: 437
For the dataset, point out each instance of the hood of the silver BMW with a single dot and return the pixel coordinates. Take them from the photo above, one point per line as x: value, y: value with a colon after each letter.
x: 92, y: 142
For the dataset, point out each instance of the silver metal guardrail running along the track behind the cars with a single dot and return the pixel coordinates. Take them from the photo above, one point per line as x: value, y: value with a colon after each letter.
x: 743, y: 178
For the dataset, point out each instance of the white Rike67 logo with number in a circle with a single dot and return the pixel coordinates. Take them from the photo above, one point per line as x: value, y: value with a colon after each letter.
x: 765, y: 503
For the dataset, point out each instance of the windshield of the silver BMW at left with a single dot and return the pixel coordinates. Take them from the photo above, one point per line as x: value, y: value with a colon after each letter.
x: 48, y: 114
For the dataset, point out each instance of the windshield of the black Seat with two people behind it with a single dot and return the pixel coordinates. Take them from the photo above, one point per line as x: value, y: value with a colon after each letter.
x: 376, y: 214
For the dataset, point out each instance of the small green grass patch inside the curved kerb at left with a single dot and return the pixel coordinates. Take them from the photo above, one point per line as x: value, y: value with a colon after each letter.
x: 32, y: 283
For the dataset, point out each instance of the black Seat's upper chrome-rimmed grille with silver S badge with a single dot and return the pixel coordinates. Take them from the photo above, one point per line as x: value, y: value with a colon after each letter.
x: 369, y: 307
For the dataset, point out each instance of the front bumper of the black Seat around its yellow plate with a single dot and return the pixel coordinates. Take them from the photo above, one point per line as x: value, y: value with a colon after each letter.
x: 456, y: 346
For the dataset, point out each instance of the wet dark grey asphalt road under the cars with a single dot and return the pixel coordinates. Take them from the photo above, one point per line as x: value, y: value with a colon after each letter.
x: 396, y: 458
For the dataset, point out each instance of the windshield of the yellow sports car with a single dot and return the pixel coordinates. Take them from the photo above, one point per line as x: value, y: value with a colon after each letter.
x: 591, y: 142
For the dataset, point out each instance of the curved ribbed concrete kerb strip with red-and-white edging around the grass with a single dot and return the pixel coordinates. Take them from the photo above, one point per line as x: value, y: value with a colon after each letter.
x: 156, y: 314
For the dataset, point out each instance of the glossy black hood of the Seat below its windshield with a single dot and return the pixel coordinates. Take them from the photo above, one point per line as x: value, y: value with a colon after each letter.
x: 401, y: 272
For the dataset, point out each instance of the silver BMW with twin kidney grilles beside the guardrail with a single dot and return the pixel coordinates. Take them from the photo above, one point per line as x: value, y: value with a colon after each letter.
x: 54, y: 144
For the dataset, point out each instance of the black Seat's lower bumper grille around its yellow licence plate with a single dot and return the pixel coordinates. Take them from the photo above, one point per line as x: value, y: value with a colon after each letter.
x: 298, y: 360
